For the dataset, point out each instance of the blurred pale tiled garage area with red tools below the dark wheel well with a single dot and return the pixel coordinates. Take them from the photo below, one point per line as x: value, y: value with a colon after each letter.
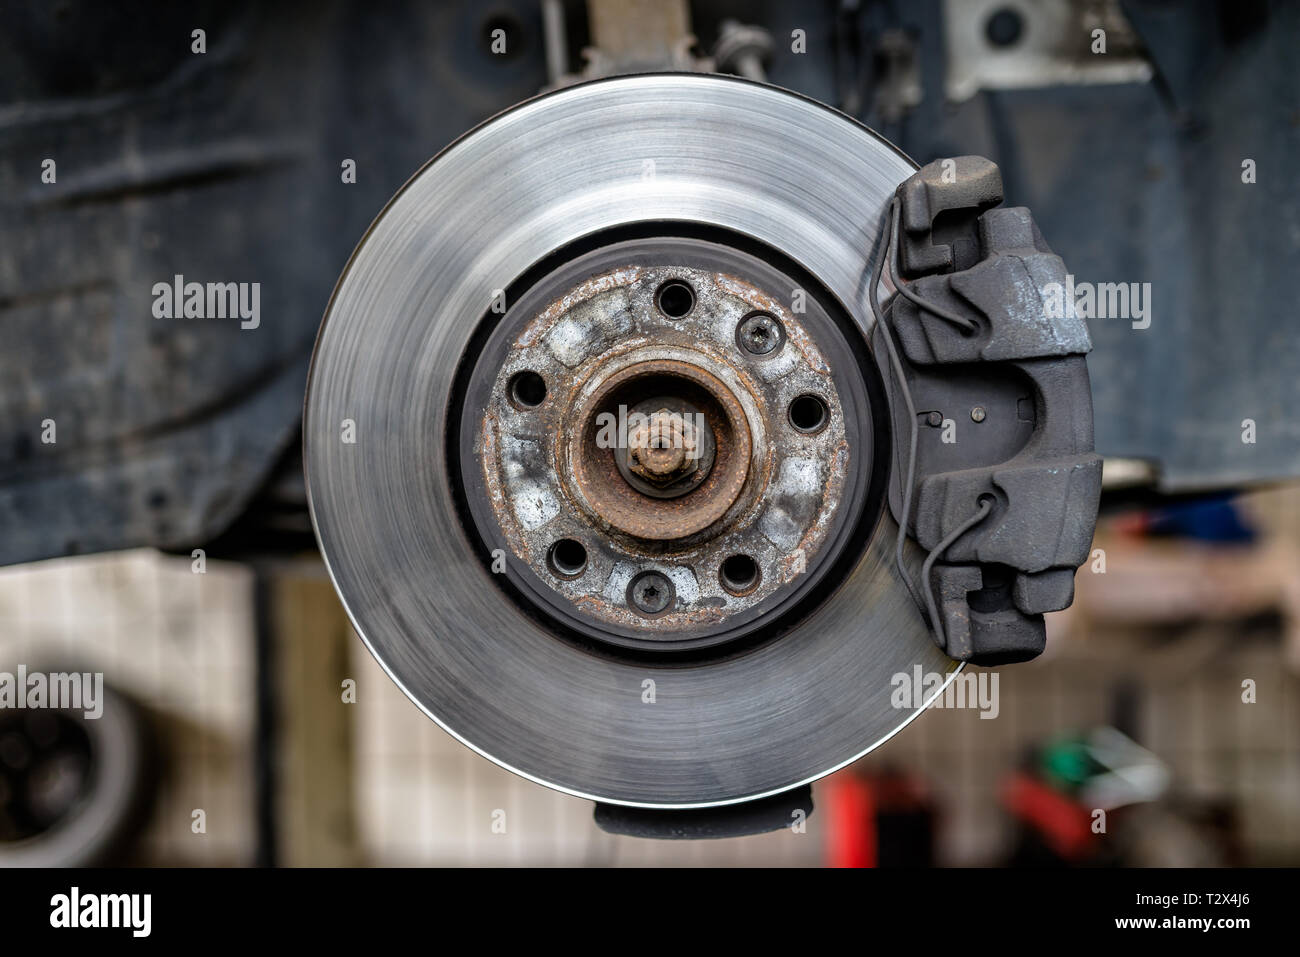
x: 311, y: 770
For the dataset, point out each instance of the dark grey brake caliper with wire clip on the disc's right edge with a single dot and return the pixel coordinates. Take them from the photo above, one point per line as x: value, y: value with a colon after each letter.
x: 995, y: 475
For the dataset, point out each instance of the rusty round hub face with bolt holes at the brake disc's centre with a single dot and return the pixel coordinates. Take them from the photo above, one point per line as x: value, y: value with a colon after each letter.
x: 670, y: 423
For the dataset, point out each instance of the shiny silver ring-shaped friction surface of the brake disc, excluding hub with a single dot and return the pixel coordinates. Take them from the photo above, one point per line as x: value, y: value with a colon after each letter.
x: 707, y: 150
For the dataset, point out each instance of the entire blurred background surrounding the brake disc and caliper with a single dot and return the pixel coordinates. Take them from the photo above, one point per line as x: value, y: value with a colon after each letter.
x: 263, y: 733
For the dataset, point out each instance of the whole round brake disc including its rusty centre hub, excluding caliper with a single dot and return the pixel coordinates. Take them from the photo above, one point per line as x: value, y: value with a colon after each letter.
x: 566, y: 608
